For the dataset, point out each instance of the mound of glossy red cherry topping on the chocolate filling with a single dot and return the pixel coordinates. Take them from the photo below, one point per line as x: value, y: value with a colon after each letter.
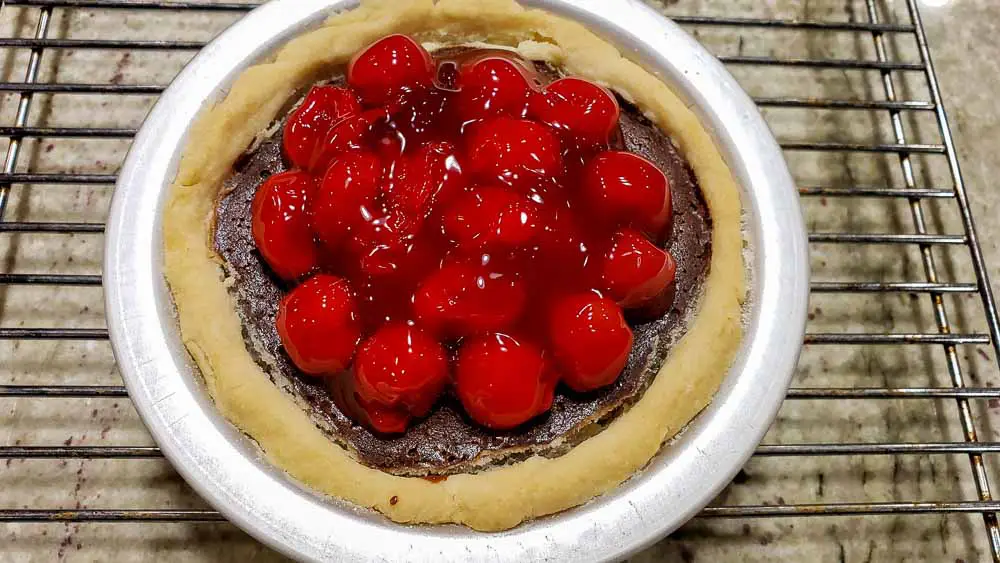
x: 461, y: 227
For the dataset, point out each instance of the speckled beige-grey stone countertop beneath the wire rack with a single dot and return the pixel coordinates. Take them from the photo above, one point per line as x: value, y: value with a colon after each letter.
x: 962, y: 41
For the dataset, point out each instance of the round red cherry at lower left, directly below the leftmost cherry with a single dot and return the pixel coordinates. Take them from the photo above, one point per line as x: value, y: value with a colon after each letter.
x: 318, y: 324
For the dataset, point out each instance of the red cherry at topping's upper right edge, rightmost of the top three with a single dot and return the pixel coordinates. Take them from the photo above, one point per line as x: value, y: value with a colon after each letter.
x: 578, y: 106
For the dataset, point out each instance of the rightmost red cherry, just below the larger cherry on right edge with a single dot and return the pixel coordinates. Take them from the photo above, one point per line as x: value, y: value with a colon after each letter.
x: 635, y: 271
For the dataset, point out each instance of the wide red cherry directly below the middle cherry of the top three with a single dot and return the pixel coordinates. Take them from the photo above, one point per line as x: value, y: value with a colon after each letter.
x: 516, y: 152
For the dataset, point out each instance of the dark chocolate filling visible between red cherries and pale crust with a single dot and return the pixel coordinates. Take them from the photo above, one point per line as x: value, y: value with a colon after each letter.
x: 447, y: 441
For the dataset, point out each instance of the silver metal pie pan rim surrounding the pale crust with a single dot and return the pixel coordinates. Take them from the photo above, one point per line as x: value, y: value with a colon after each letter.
x: 226, y: 468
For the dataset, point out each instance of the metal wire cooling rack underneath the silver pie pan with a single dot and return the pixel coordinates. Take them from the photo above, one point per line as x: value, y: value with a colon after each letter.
x: 875, y: 456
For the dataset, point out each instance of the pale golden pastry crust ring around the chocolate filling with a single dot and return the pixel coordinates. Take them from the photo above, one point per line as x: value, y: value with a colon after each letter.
x: 501, y: 497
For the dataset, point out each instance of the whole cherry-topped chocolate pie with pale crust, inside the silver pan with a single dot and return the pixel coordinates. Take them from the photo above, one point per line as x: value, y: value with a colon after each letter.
x: 456, y: 262
